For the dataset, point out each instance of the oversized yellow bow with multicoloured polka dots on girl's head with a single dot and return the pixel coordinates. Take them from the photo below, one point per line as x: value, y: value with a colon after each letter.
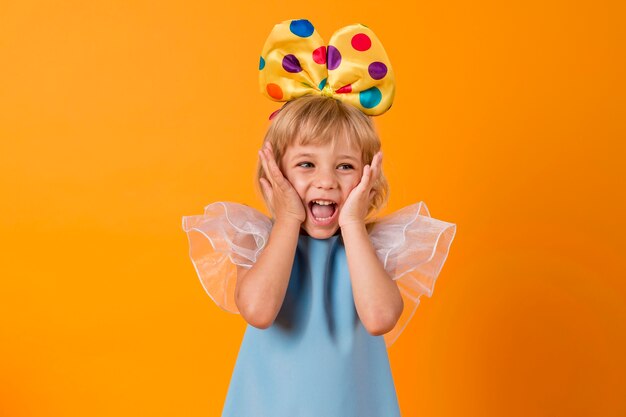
x: 353, y: 68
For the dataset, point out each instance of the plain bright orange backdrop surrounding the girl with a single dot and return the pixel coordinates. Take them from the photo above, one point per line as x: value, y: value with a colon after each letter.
x: 117, y: 118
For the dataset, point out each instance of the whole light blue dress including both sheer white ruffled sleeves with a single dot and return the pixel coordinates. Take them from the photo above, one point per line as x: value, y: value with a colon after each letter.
x: 316, y: 359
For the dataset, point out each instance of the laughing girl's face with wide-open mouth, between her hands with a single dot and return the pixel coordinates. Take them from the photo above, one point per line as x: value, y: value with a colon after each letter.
x: 323, y: 178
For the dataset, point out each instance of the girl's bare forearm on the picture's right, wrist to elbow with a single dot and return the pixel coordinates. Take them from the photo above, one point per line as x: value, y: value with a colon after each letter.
x: 376, y: 296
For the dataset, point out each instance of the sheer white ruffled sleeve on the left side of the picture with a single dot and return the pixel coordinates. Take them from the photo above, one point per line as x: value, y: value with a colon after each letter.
x: 227, y: 235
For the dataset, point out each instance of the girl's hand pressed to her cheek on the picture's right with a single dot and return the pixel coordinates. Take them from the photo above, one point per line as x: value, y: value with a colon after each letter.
x: 357, y: 204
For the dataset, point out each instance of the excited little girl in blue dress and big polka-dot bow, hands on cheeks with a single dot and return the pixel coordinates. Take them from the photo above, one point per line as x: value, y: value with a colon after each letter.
x: 323, y: 280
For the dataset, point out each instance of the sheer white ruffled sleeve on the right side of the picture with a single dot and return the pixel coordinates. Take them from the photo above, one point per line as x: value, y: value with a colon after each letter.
x: 413, y: 248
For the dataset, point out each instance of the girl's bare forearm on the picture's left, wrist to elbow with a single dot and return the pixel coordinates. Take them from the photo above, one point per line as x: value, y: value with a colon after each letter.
x: 260, y: 292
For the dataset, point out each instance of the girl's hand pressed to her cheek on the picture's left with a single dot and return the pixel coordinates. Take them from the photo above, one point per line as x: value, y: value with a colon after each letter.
x: 285, y: 203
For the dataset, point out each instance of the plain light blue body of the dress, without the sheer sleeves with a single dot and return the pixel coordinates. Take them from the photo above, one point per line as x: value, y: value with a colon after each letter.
x: 317, y: 359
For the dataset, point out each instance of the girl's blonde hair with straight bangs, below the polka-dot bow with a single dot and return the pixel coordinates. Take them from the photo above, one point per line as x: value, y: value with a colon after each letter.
x: 319, y: 120
